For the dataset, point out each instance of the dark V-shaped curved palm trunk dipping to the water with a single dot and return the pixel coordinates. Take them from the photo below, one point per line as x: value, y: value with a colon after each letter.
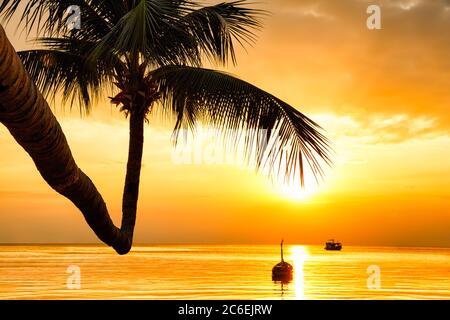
x: 26, y: 114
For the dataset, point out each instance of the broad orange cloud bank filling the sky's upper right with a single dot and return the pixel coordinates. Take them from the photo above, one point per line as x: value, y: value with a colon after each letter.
x: 320, y: 57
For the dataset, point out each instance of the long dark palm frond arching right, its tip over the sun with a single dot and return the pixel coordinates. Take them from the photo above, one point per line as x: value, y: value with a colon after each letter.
x: 233, y: 106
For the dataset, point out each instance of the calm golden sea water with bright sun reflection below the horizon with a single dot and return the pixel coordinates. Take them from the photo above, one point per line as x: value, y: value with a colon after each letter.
x: 222, y: 272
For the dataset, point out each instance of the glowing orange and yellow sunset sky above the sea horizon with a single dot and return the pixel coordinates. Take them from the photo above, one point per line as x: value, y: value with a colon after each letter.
x: 382, y: 97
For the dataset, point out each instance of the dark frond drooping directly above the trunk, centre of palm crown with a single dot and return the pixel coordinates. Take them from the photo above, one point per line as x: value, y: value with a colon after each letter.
x: 141, y: 30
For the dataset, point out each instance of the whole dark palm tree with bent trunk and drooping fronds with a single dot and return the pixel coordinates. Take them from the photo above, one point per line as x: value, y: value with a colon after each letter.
x: 150, y: 53
